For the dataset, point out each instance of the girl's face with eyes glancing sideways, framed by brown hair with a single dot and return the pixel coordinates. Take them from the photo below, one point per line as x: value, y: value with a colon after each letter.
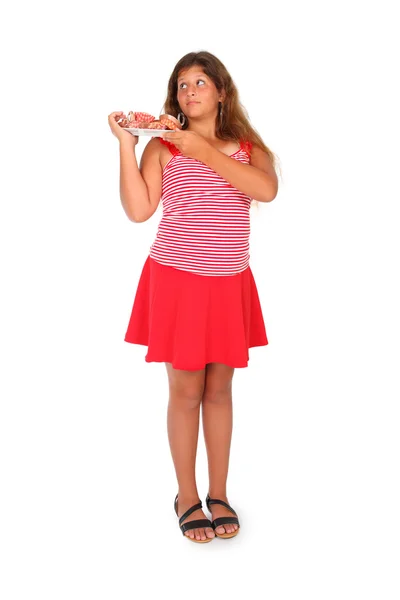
x: 197, y: 94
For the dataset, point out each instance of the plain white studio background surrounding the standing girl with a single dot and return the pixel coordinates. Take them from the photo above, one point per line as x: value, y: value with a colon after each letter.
x: 86, y: 474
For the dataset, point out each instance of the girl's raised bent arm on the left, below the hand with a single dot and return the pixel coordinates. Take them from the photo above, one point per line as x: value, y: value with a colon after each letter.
x: 140, y: 188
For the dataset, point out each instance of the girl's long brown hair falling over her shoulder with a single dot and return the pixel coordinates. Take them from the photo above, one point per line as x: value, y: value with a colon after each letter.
x: 234, y: 123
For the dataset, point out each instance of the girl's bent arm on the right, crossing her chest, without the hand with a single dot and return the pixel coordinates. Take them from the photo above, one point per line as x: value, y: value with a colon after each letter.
x: 257, y: 179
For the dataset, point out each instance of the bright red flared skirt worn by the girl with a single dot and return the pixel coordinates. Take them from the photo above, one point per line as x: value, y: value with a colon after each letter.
x: 190, y: 320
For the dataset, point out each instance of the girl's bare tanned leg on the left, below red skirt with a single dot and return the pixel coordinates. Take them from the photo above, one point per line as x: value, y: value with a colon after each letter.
x: 185, y: 395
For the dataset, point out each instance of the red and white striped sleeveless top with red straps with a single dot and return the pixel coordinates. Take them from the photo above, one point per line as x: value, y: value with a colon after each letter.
x: 205, y: 225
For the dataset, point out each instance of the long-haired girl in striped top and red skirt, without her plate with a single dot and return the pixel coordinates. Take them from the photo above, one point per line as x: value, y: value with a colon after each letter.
x: 196, y: 306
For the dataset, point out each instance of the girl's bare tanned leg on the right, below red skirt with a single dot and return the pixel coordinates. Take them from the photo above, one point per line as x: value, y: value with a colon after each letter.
x: 217, y: 425
